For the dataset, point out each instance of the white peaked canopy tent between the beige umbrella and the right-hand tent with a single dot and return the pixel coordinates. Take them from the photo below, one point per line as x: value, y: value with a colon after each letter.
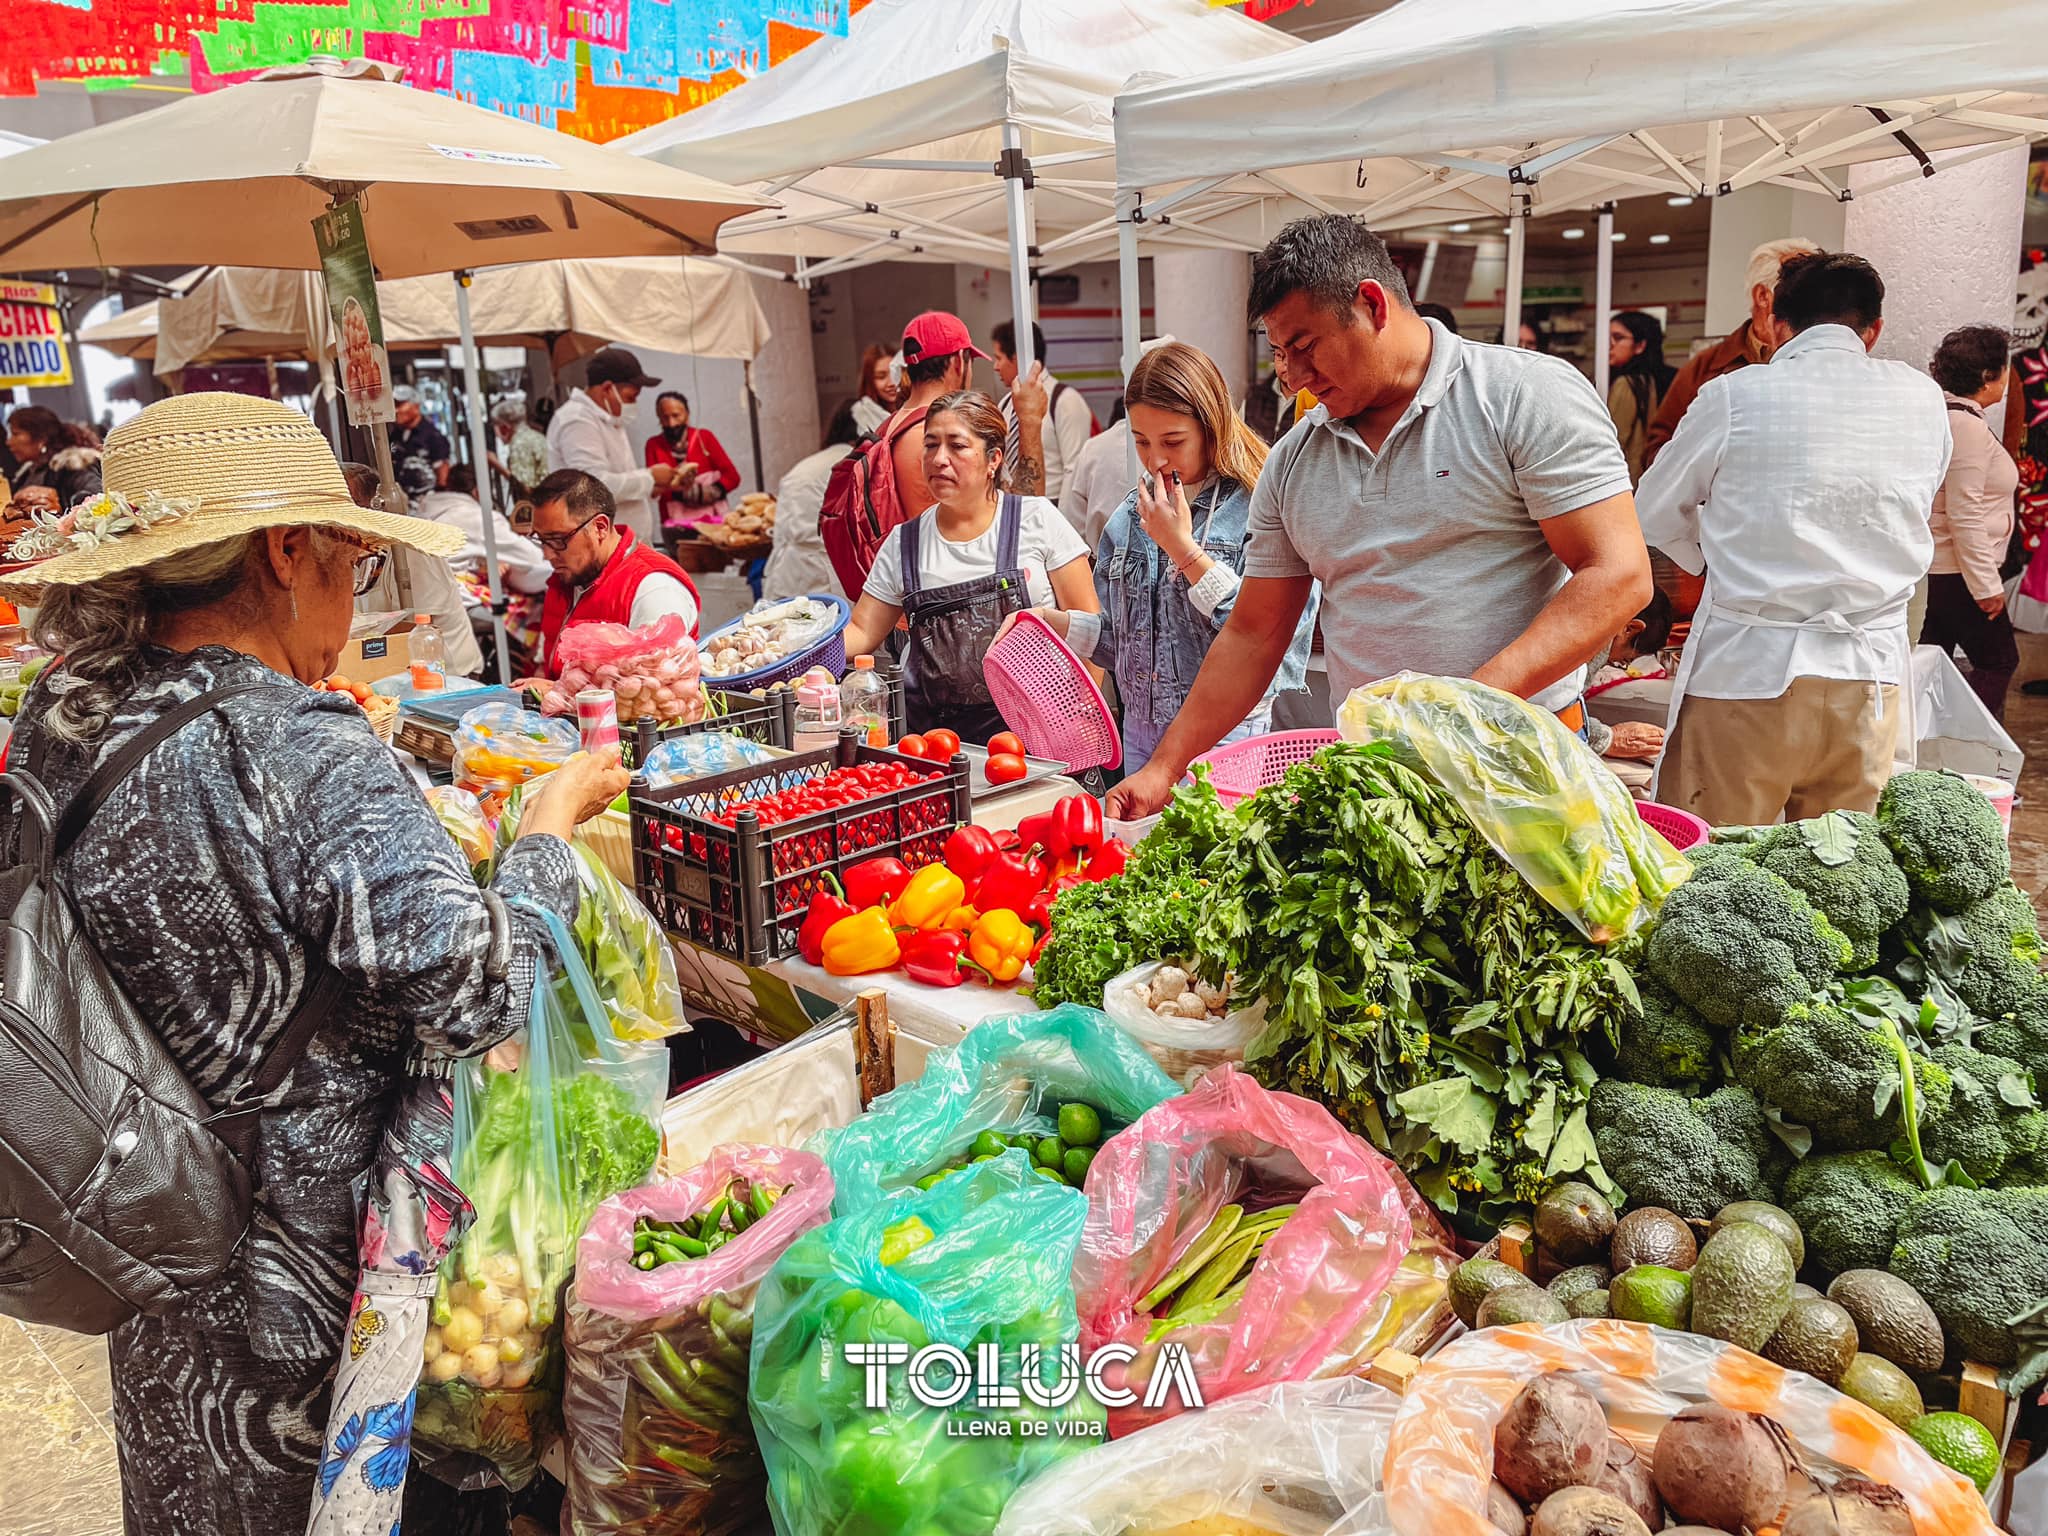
x: 974, y: 136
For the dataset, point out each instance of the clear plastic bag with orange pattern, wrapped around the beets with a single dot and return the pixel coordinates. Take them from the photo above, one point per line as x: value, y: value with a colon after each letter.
x: 1441, y: 1455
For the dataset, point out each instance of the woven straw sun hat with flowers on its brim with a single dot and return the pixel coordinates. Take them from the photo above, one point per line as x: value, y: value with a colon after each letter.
x: 194, y: 472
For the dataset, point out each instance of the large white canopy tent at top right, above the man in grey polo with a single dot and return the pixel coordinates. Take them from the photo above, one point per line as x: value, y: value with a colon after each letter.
x: 1517, y: 108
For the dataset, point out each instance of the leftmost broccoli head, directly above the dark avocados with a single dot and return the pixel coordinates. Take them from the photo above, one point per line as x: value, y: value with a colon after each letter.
x: 1687, y: 1156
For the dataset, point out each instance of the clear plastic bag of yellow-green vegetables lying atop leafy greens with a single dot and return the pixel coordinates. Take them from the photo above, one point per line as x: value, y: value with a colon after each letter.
x: 1533, y: 790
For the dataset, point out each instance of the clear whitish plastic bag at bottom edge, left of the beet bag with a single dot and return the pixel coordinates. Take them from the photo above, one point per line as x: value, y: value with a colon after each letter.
x: 1299, y: 1459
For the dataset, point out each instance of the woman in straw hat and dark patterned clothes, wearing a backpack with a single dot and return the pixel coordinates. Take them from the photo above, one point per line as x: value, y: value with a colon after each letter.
x: 267, y: 841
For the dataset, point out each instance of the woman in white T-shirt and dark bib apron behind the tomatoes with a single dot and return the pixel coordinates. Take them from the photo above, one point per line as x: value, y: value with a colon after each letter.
x: 957, y: 572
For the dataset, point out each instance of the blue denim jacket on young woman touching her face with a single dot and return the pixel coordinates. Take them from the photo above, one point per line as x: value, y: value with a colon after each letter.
x: 1154, y: 636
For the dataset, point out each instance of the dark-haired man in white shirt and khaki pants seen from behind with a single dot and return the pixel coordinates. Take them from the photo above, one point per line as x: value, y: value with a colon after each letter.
x: 1803, y: 490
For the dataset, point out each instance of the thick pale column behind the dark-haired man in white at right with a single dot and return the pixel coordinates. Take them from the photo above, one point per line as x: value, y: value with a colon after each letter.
x: 1947, y: 247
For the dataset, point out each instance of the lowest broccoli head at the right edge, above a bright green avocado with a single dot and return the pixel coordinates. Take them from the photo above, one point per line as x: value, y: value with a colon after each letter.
x: 1981, y: 1261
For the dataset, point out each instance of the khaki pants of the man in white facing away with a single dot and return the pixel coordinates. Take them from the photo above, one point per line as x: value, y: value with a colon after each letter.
x: 1816, y: 749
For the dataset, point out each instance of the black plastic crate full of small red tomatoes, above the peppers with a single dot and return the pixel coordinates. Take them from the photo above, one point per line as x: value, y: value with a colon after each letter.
x: 744, y: 890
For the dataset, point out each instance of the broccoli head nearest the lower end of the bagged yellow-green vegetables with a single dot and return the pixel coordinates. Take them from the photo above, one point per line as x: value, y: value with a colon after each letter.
x: 1744, y: 947
